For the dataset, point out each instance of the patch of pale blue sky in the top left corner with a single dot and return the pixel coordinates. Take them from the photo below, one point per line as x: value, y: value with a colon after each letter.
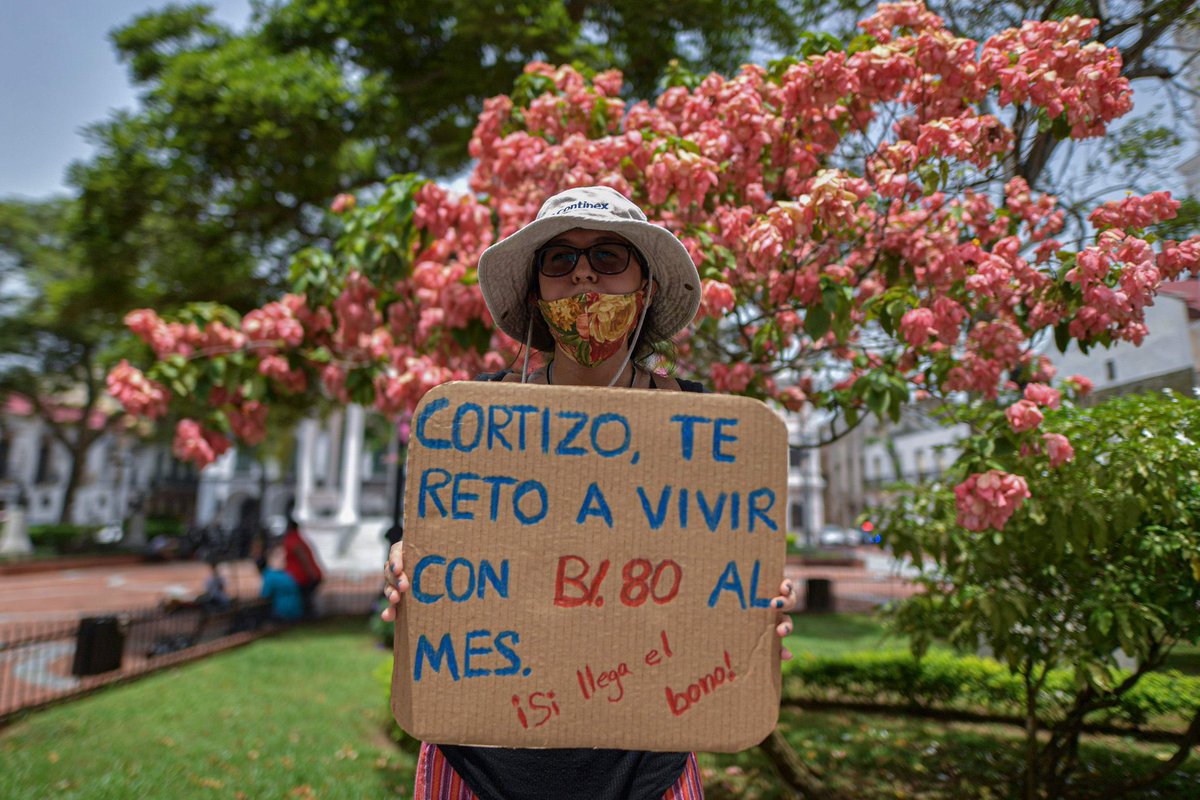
x: 59, y: 75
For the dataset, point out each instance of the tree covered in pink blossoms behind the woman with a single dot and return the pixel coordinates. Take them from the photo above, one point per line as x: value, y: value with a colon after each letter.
x: 860, y: 240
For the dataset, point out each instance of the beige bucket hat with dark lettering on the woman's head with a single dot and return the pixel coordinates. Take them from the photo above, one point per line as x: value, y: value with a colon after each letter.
x: 506, y: 269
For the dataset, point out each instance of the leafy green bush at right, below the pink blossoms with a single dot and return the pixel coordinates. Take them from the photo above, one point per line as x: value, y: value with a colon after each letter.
x: 1102, y: 561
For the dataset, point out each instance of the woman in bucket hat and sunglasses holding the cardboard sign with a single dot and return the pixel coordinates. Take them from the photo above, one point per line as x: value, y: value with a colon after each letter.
x: 593, y: 286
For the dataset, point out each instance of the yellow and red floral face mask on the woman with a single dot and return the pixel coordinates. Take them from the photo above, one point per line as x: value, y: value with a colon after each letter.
x: 591, y: 327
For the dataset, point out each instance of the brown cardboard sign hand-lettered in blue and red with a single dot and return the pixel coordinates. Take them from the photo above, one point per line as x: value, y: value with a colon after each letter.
x: 592, y: 568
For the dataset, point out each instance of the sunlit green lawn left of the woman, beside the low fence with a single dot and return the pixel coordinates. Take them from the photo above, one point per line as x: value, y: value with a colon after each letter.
x: 293, y: 717
